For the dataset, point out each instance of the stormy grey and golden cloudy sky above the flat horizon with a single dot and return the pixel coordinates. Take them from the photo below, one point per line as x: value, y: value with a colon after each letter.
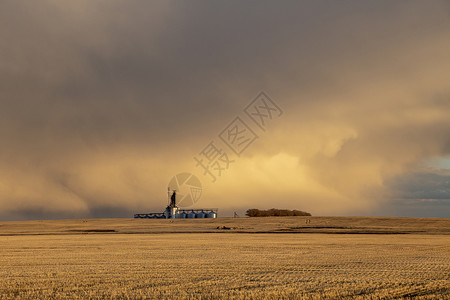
x: 102, y: 103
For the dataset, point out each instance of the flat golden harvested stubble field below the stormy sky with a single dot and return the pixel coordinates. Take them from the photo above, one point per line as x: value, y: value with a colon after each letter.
x: 272, y: 258
